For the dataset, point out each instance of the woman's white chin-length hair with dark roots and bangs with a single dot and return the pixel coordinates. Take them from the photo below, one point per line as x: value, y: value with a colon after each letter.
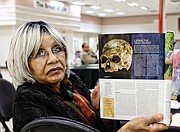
x: 27, y: 38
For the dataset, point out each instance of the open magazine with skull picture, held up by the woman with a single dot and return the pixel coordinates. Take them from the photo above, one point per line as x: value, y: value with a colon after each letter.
x: 132, y: 81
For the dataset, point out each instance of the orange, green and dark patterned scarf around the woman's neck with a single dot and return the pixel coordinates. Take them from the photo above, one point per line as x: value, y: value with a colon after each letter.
x: 78, y: 103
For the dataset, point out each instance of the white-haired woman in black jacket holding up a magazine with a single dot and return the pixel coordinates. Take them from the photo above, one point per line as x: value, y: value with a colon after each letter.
x: 45, y: 87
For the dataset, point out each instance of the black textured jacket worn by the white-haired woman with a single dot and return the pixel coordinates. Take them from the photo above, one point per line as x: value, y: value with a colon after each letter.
x: 35, y: 100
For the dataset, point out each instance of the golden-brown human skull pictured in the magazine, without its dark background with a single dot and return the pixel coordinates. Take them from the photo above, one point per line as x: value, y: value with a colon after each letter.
x: 116, y: 55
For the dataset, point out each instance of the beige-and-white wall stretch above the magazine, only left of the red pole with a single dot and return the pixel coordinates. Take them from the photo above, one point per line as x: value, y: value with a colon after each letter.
x: 131, y: 24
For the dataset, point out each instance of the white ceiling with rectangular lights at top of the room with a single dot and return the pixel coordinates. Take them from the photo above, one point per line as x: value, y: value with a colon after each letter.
x: 171, y: 6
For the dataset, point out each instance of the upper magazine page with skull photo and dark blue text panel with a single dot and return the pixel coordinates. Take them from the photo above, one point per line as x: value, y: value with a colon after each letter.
x: 132, y: 56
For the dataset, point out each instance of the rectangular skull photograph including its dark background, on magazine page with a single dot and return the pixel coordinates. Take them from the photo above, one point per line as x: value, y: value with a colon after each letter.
x: 115, y: 56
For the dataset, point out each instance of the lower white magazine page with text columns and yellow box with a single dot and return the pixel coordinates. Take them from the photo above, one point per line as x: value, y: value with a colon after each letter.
x: 126, y: 99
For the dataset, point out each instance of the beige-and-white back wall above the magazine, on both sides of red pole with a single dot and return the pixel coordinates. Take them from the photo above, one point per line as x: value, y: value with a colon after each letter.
x: 140, y: 24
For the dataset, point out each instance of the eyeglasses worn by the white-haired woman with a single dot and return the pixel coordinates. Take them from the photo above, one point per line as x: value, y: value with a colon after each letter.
x: 57, y: 50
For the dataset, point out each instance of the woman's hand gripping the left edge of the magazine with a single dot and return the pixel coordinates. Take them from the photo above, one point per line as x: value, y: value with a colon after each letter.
x: 95, y: 97
